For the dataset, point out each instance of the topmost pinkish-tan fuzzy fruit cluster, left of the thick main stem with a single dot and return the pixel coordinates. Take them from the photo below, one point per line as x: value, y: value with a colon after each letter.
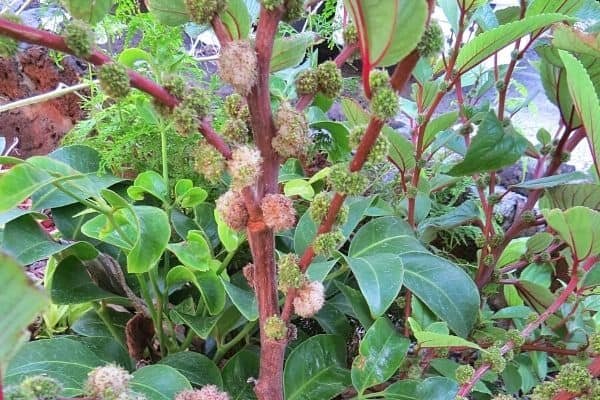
x: 238, y: 65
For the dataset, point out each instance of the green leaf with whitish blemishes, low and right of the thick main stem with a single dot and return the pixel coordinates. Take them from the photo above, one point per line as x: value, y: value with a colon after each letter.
x: 381, y: 353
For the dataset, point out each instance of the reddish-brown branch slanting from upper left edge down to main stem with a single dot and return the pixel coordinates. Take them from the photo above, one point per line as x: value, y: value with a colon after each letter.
x: 55, y: 42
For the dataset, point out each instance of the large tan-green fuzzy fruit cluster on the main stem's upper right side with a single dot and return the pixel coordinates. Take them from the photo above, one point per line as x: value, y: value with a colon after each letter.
x: 292, y: 138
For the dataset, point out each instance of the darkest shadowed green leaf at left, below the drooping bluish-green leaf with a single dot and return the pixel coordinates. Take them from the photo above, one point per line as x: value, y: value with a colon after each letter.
x: 71, y: 284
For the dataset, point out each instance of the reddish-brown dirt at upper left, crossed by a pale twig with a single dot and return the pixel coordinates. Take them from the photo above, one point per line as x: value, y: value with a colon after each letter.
x: 39, y: 127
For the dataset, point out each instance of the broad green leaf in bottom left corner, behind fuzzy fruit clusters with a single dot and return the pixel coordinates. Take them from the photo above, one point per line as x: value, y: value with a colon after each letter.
x: 67, y: 361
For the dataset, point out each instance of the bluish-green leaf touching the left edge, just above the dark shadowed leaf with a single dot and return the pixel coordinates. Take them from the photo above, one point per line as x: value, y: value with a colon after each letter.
x: 25, y: 240
